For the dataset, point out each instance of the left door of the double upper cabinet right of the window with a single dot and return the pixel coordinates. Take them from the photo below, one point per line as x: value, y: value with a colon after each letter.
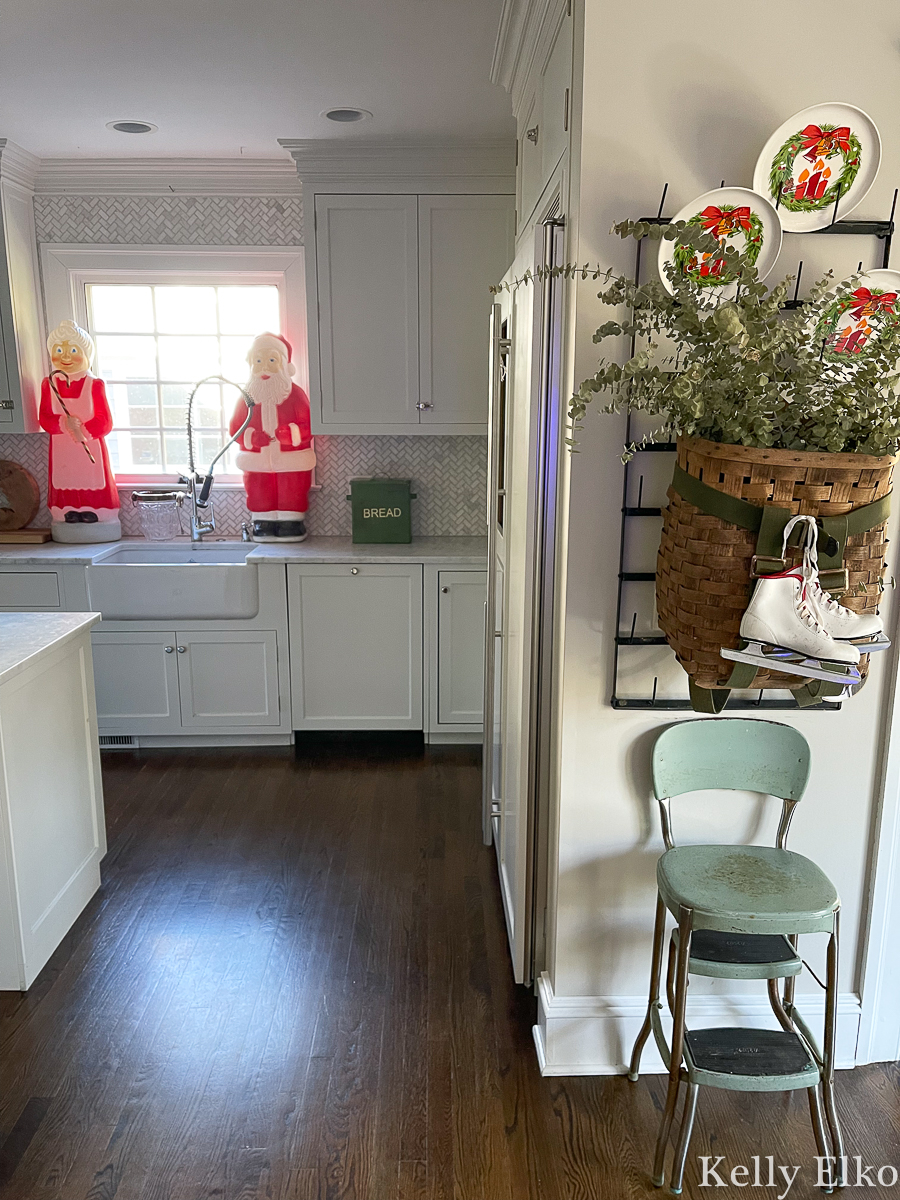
x: 368, y: 295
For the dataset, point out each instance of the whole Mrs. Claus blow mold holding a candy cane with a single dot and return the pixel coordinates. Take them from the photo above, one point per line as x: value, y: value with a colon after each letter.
x: 82, y: 494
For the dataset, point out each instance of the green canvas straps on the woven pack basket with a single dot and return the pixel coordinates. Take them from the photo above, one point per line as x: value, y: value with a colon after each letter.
x: 769, y: 521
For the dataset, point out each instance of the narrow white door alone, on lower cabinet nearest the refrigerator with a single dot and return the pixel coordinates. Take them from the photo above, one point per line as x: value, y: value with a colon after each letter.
x: 461, y: 647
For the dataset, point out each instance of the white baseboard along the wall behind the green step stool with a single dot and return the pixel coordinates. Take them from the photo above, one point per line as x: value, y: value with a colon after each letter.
x: 595, y: 1035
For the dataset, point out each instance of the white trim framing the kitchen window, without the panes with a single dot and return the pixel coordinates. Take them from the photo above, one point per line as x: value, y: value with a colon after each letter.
x: 67, y: 268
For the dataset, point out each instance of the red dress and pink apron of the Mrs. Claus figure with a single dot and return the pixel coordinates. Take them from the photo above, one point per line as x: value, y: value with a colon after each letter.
x: 76, y: 483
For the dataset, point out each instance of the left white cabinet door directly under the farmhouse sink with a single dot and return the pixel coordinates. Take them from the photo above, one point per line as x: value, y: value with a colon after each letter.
x: 136, y: 681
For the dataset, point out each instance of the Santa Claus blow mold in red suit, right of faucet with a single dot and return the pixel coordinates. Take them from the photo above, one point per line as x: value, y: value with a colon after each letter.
x: 277, y: 454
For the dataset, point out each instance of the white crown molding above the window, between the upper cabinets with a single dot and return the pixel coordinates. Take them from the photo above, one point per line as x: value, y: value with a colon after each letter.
x: 158, y: 177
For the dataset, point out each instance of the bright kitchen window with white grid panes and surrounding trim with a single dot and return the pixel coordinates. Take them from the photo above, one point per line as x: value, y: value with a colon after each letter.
x: 163, y: 320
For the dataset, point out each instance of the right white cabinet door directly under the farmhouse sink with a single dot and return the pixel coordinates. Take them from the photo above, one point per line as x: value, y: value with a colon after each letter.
x: 229, y: 679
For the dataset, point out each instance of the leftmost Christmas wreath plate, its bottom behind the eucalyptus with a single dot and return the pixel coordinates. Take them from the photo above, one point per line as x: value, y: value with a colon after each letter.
x: 737, y: 218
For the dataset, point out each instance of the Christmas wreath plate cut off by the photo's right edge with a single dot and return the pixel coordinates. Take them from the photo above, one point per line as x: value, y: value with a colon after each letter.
x: 863, y: 308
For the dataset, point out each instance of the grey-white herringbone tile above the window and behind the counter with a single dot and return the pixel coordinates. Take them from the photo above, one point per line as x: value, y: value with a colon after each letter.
x: 448, y: 473
